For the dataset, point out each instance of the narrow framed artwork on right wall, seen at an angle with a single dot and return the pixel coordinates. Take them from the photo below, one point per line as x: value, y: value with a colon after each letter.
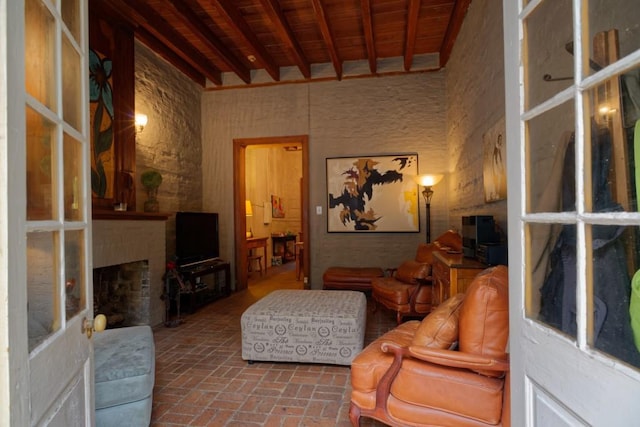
x: 494, y: 167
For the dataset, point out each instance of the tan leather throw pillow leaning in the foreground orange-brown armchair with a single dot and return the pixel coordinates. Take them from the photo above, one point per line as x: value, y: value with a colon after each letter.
x: 440, y: 328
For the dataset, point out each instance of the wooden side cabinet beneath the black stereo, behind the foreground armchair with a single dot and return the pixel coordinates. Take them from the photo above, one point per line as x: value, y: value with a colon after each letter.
x: 452, y: 274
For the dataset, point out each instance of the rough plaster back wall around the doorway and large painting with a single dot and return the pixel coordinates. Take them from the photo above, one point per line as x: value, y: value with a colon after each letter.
x: 386, y: 115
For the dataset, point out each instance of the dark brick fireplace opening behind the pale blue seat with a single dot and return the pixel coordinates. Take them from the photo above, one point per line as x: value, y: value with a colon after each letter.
x: 121, y: 293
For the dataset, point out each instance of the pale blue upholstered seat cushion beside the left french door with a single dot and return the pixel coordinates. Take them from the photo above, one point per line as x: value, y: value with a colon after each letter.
x: 124, y: 365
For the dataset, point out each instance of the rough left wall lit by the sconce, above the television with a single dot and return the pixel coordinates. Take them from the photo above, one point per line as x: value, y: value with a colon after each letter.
x: 170, y: 143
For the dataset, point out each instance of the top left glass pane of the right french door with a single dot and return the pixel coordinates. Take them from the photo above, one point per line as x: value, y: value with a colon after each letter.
x: 548, y: 58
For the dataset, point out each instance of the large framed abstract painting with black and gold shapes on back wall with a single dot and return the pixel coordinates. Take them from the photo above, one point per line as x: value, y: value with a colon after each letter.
x: 372, y: 194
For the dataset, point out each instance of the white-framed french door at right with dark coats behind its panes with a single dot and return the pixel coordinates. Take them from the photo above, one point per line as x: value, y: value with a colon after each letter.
x: 572, y: 73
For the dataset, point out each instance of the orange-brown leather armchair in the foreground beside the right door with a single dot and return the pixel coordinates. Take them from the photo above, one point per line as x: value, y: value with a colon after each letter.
x: 416, y: 375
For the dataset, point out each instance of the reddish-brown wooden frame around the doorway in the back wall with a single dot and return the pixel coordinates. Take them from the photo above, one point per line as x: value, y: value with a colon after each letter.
x: 239, y: 196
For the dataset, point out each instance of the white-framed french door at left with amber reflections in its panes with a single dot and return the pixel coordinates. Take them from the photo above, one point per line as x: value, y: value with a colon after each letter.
x: 47, y: 376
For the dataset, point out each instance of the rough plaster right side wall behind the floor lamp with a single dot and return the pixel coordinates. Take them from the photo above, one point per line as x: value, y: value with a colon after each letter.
x: 475, y: 102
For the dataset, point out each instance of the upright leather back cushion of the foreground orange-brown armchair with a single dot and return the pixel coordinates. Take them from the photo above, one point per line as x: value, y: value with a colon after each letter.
x: 484, y: 315
